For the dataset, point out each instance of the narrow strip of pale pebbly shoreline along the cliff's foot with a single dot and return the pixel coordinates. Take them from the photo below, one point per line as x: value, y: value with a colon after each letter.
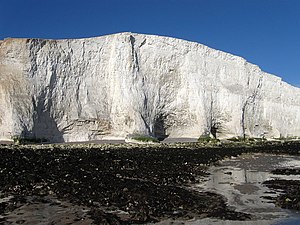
x: 291, y: 147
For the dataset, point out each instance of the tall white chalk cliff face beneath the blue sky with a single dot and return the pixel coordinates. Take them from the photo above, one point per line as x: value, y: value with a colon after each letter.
x: 115, y: 85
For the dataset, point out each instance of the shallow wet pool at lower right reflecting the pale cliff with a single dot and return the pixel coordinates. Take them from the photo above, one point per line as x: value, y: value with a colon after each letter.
x: 240, y: 181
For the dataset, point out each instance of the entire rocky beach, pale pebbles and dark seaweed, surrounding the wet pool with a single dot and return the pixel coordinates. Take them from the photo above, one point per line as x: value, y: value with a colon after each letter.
x: 123, y: 183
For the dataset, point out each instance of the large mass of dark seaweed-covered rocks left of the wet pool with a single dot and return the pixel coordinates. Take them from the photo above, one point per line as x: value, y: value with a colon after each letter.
x: 117, y: 186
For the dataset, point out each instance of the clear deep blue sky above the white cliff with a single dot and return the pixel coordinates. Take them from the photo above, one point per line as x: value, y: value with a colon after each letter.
x: 264, y: 32
